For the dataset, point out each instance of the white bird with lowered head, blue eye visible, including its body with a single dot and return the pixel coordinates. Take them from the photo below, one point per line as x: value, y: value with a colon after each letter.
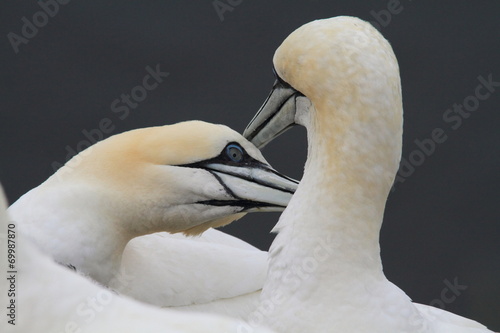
x: 186, y: 178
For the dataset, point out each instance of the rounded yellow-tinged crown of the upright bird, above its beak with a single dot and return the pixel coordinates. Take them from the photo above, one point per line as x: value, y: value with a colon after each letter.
x: 334, y: 59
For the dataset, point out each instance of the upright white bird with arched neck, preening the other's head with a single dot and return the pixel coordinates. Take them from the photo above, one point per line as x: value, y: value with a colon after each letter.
x: 340, y: 79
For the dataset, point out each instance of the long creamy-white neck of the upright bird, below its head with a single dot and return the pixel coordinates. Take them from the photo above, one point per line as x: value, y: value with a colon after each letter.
x: 340, y: 202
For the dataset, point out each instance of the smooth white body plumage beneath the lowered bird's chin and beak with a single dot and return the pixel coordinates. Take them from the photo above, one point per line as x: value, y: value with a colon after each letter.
x: 215, y: 266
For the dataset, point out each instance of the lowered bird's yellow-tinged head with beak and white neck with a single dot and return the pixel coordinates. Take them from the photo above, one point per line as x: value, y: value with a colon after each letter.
x: 185, y: 177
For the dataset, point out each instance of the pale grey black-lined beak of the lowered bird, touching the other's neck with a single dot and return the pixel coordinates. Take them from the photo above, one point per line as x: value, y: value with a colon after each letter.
x: 254, y: 187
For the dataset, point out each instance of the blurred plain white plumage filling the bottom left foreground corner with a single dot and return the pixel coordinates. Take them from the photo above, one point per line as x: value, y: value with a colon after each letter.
x: 51, y: 298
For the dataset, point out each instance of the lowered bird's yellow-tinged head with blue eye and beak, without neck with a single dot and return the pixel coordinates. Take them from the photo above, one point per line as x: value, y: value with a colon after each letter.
x: 185, y: 177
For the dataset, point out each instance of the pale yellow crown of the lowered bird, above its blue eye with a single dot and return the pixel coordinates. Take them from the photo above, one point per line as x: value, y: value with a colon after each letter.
x: 121, y: 155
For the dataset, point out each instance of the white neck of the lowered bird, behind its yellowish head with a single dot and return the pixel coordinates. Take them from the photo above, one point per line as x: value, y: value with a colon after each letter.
x: 83, y: 235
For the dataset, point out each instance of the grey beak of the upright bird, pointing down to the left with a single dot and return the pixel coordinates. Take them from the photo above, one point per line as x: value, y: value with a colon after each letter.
x: 275, y: 116
